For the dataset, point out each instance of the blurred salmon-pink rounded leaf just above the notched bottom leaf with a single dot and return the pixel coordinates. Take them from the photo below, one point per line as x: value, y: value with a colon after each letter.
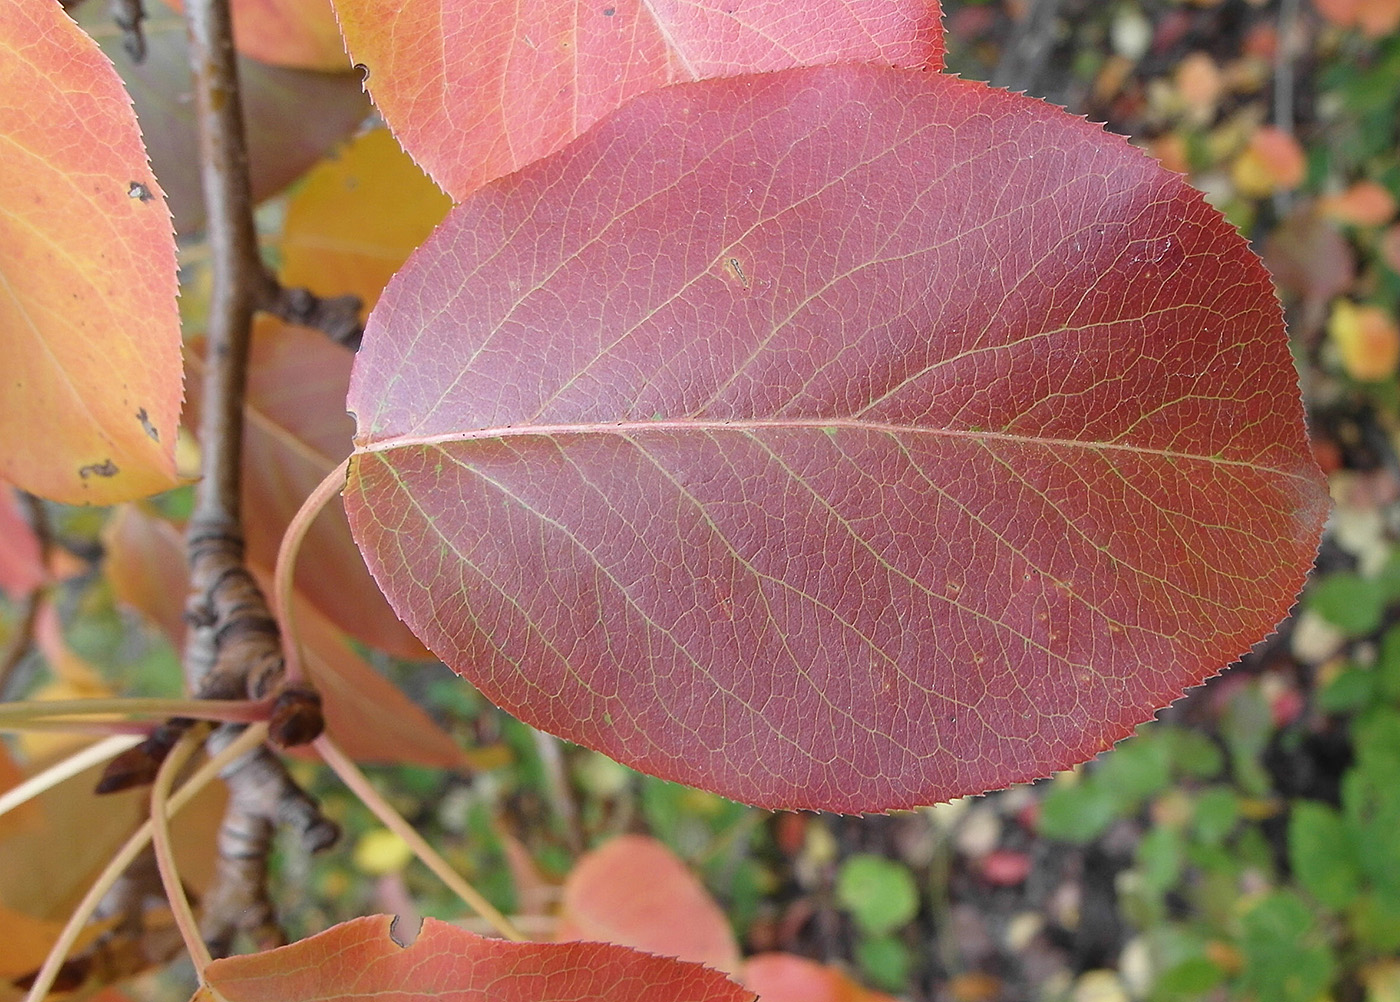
x: 635, y: 892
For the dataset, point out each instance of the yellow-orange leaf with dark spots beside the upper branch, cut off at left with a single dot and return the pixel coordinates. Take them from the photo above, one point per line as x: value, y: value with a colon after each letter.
x: 89, y: 327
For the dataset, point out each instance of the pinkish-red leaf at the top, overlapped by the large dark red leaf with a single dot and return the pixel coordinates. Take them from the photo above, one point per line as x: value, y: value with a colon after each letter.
x: 478, y: 90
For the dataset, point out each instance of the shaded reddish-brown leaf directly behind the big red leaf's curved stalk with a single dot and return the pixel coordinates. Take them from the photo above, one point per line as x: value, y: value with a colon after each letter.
x: 297, y: 430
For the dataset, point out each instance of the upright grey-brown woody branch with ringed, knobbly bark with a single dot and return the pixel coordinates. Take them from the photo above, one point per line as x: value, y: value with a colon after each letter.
x: 234, y: 649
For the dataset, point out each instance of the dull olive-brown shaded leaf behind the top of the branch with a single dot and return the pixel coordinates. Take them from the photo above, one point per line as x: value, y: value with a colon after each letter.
x: 295, y: 117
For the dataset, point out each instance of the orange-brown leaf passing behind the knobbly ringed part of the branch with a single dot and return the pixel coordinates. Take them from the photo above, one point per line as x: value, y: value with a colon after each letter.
x: 370, y: 717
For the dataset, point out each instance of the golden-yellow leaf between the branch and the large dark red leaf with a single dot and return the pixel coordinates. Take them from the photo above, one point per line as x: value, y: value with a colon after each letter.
x: 358, y: 218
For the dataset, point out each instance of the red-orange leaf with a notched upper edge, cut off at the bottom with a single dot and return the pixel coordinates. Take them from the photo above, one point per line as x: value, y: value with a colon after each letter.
x: 358, y: 959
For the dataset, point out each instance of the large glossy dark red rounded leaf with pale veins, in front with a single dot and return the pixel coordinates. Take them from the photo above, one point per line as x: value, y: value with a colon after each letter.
x: 839, y: 439
